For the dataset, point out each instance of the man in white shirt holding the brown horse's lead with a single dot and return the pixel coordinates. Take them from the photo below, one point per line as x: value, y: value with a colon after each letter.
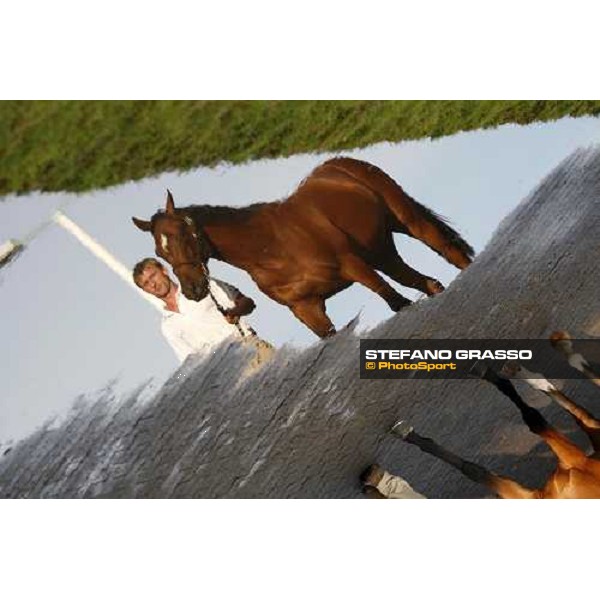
x: 197, y: 327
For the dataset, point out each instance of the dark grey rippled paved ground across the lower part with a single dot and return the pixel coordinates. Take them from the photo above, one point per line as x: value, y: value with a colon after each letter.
x: 306, y: 425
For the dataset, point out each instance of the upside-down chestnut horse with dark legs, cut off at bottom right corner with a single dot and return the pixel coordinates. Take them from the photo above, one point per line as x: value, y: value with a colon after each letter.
x: 577, y: 474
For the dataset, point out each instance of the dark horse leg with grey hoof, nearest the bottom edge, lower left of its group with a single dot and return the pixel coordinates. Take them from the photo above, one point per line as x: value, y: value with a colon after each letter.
x: 505, y: 488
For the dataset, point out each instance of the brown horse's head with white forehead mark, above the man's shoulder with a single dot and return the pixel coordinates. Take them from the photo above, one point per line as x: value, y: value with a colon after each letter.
x: 183, y: 245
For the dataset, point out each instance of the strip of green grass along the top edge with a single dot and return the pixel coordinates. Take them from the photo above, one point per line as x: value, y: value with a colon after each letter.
x: 81, y: 145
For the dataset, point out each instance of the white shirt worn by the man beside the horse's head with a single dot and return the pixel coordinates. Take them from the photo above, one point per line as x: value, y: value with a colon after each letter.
x: 199, y: 326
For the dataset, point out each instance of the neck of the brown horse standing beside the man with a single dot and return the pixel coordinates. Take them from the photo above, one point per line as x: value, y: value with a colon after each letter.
x: 235, y: 234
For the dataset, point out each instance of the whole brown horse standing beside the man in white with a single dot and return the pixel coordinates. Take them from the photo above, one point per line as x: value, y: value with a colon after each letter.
x: 335, y: 229
